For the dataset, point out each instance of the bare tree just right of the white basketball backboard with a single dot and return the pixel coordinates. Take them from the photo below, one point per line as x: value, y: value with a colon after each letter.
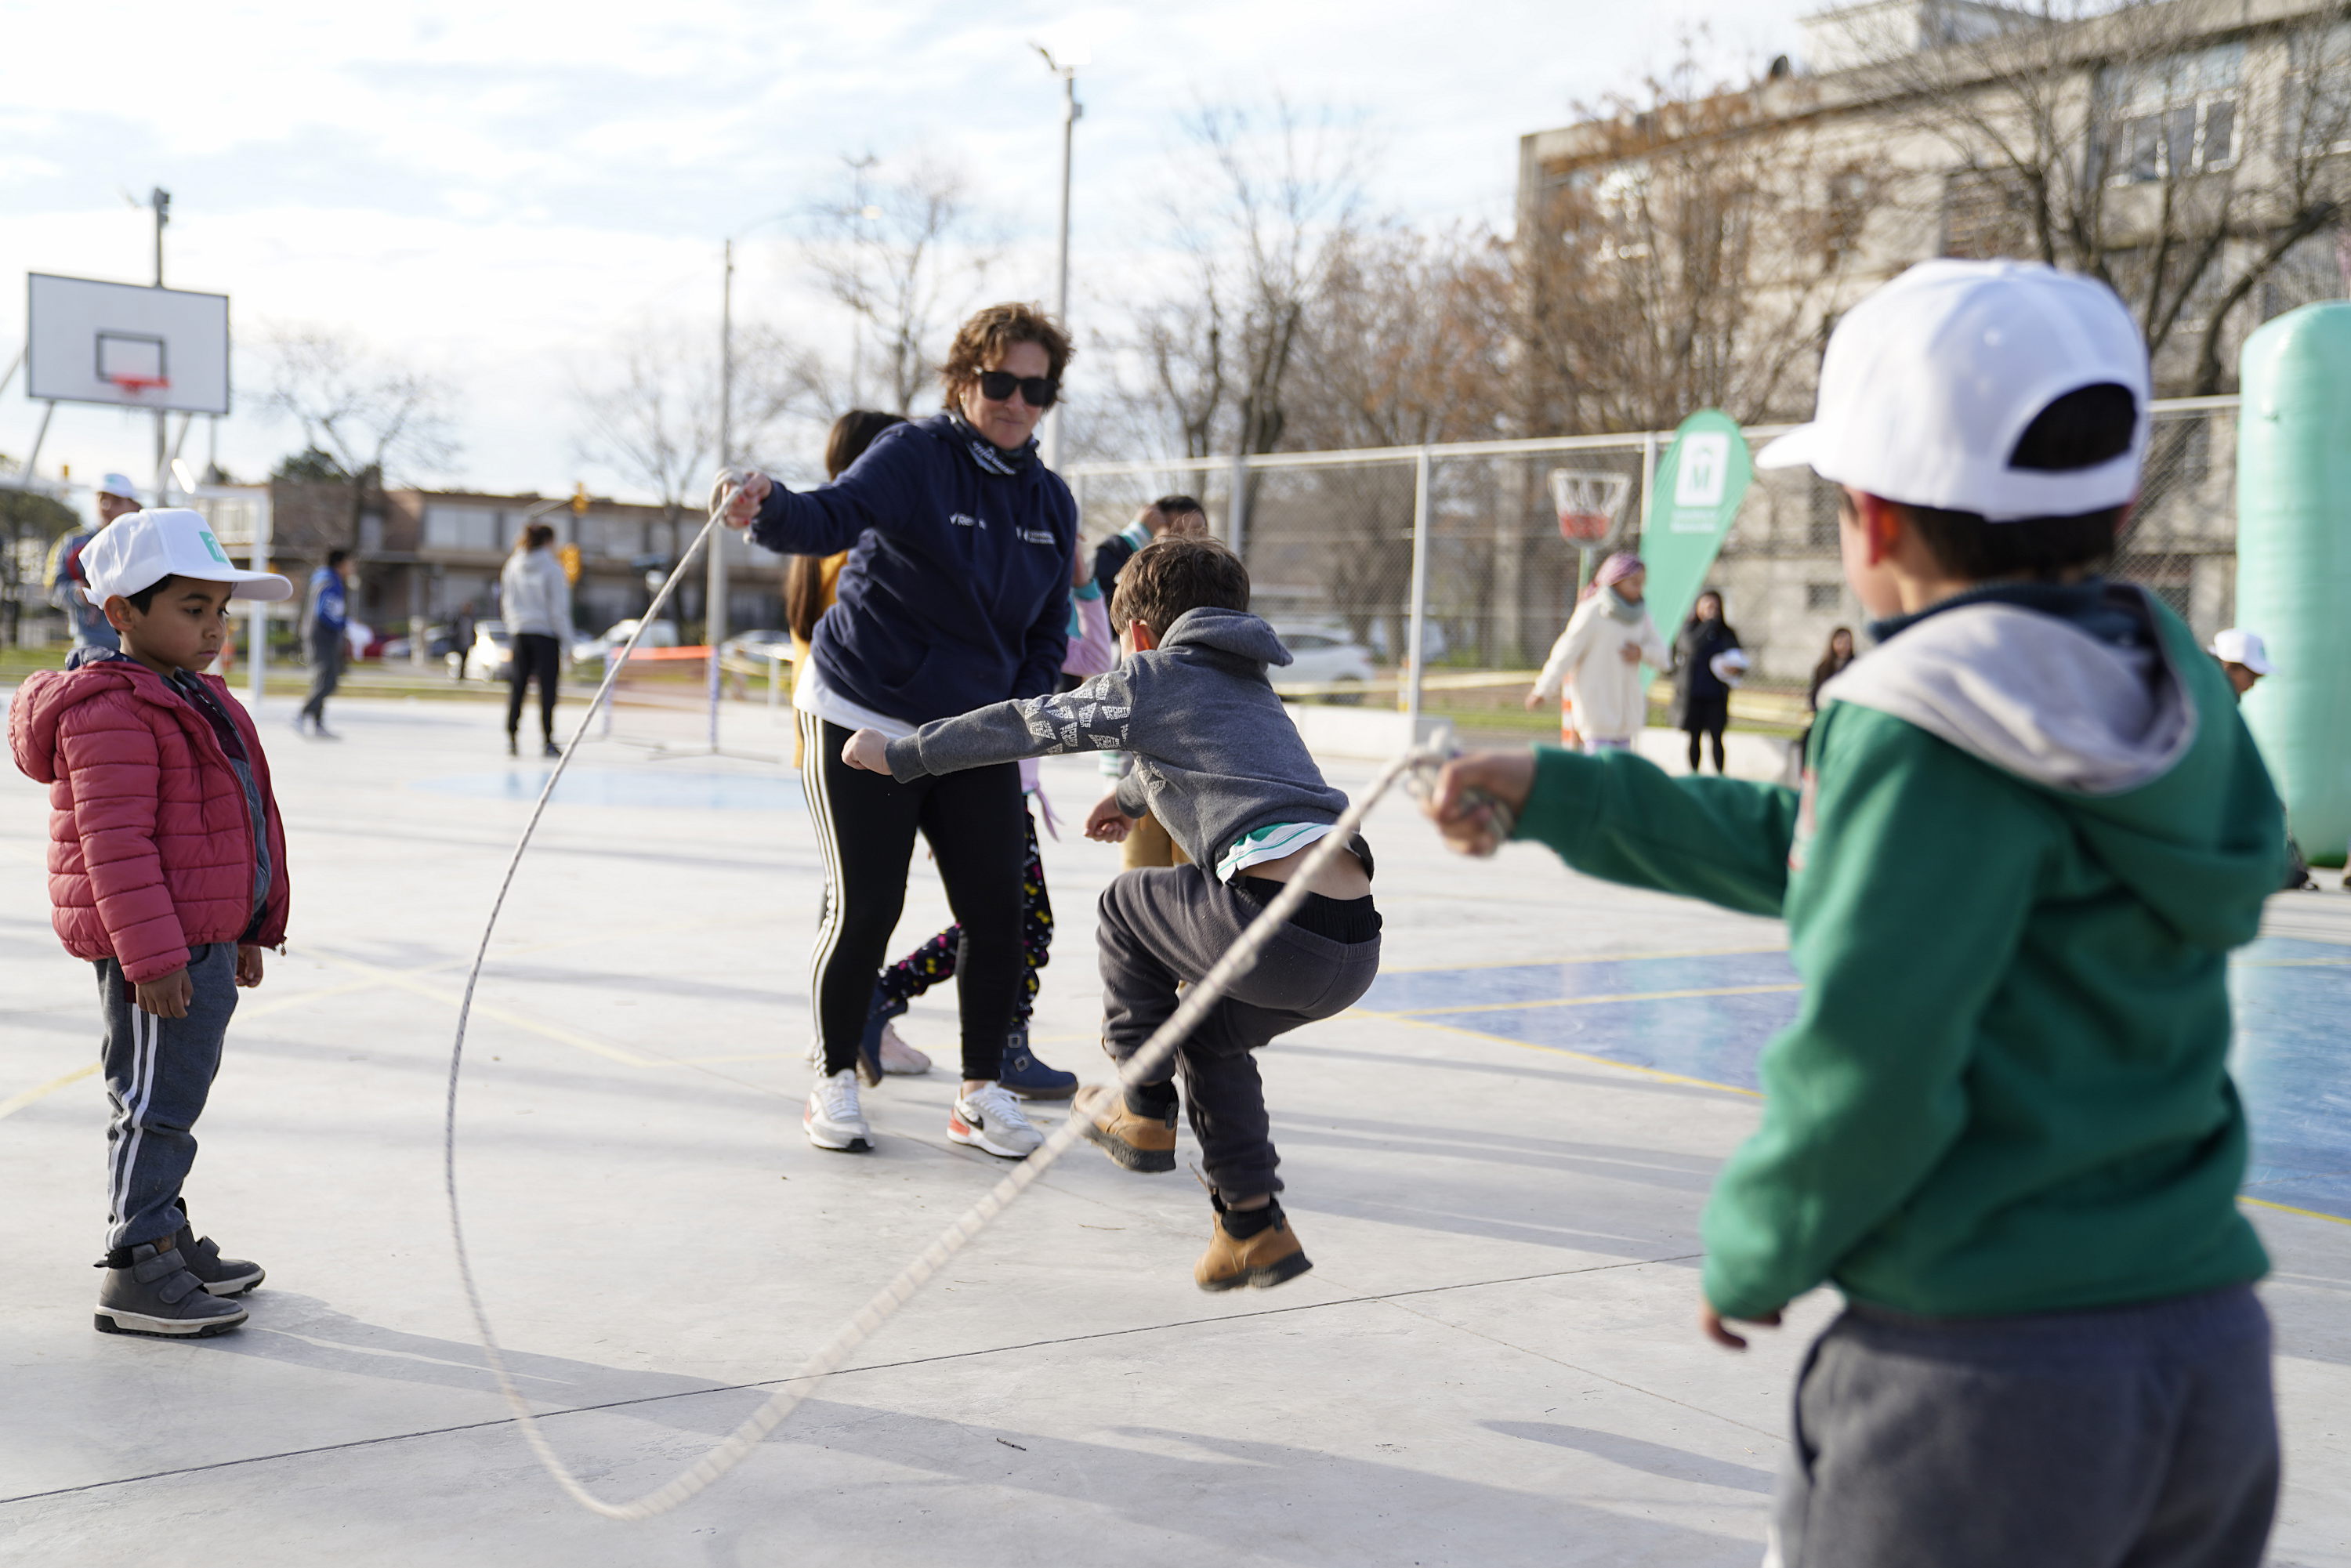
x: 366, y: 410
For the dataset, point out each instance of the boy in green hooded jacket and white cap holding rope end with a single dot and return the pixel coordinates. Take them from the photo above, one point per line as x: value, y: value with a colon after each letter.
x: 2032, y: 829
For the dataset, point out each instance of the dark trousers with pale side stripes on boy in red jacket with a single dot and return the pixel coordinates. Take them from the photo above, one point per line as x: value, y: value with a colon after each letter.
x: 159, y: 1073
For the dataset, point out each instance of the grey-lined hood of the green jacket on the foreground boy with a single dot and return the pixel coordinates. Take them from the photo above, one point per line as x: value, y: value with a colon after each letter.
x: 2103, y: 702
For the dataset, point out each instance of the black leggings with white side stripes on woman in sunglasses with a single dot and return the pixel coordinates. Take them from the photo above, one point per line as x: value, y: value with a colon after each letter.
x: 866, y: 829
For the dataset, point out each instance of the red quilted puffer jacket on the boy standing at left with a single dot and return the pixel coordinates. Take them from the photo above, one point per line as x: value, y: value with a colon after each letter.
x: 152, y: 847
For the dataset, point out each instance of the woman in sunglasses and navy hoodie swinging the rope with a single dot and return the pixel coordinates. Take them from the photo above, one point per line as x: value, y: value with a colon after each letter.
x: 956, y: 596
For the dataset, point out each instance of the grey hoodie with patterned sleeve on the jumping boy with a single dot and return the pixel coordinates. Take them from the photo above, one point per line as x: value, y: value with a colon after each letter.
x: 1217, y: 758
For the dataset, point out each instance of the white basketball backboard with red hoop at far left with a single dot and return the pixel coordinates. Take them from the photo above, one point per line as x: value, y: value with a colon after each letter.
x: 128, y: 347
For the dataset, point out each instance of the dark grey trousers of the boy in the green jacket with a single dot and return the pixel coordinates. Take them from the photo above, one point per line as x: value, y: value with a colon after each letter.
x: 2131, y: 1435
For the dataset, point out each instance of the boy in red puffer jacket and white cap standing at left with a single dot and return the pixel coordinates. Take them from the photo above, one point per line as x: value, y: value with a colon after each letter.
x: 168, y: 871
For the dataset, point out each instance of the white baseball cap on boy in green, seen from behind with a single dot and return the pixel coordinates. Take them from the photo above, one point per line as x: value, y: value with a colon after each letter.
x: 1929, y: 384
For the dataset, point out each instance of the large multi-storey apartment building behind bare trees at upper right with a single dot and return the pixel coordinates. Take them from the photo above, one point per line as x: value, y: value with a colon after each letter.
x: 2195, y: 152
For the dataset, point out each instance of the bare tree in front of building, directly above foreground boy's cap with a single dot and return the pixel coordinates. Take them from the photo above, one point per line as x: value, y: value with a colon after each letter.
x: 2178, y: 149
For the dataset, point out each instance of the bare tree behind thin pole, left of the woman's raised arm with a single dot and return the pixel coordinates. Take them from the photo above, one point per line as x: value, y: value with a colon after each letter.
x: 650, y: 406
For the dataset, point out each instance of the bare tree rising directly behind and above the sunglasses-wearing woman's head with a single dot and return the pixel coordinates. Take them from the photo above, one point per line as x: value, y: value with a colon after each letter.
x: 904, y: 253
